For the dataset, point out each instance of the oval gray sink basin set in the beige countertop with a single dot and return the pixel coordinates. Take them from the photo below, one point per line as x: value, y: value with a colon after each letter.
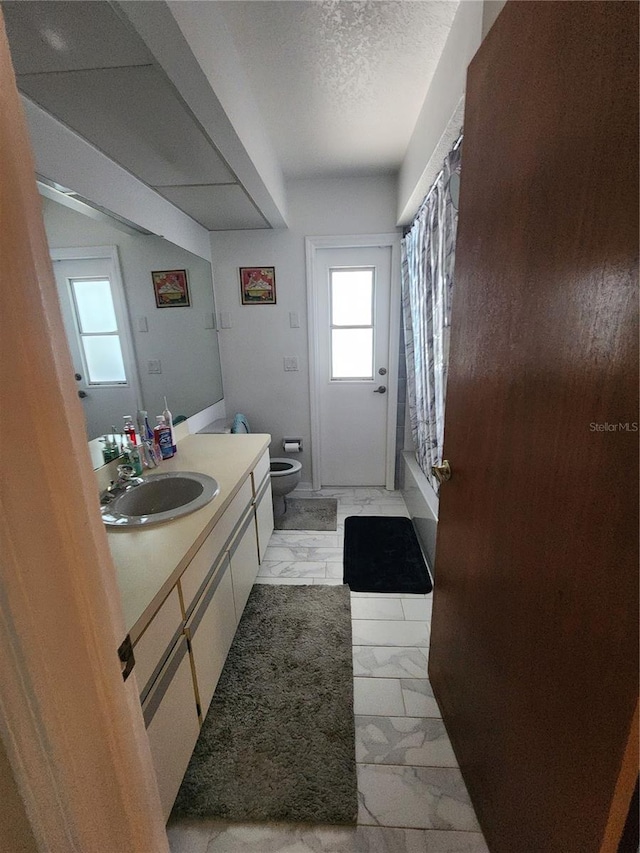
x: 161, y: 497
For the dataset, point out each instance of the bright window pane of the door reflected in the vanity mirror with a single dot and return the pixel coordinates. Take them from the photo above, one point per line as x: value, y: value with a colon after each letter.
x: 97, y: 329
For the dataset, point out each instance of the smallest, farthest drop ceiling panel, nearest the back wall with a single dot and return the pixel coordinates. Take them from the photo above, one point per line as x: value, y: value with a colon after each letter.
x: 221, y: 208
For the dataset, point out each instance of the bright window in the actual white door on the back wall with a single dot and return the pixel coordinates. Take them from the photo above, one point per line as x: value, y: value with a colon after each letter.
x: 352, y: 314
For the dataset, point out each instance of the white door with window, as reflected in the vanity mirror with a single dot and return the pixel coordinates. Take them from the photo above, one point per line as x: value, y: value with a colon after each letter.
x: 96, y: 323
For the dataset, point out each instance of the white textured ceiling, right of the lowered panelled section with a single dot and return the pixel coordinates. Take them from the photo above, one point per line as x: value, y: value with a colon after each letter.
x: 340, y: 83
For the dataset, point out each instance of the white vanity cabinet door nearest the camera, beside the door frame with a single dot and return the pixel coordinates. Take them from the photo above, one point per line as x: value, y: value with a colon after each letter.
x: 171, y: 719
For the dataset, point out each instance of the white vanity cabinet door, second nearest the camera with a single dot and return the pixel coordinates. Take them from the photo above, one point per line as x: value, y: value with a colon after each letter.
x: 211, y: 629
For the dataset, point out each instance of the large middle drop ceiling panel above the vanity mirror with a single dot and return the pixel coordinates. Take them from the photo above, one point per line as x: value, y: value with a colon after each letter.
x: 134, y: 116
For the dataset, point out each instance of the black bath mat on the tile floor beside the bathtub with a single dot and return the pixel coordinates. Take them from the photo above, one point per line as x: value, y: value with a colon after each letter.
x: 382, y: 554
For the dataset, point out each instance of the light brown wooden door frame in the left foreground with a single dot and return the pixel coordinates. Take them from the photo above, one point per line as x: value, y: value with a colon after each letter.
x: 72, y: 728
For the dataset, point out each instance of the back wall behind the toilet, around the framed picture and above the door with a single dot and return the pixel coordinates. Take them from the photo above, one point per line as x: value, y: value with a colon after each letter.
x: 252, y: 351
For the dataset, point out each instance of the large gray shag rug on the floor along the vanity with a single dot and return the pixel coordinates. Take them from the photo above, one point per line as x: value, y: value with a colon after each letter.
x: 278, y: 742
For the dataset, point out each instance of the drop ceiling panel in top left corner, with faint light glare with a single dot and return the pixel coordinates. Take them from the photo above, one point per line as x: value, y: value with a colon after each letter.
x: 57, y: 36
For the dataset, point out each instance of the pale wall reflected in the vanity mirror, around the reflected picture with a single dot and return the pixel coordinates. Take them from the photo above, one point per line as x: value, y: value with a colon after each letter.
x: 188, y: 351
